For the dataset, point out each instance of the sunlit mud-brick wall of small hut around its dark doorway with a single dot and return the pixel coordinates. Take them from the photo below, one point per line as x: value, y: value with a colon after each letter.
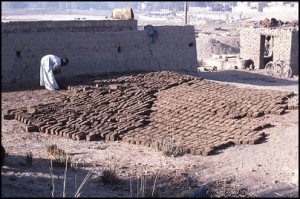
x: 286, y: 42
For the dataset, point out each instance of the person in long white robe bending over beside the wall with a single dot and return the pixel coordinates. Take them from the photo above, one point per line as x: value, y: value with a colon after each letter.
x: 50, y: 65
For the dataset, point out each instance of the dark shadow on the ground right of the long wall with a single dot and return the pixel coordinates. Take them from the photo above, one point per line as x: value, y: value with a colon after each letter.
x: 247, y: 77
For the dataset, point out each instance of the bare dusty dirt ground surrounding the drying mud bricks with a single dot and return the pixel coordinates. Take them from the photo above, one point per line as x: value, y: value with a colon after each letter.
x: 268, y: 169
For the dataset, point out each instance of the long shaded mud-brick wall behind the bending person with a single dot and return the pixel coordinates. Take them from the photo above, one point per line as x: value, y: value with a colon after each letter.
x: 93, y: 47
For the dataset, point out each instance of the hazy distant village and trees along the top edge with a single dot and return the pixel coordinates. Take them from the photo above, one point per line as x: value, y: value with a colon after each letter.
x: 226, y: 6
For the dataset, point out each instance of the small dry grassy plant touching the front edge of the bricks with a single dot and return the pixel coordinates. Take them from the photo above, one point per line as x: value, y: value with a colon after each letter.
x: 169, y: 148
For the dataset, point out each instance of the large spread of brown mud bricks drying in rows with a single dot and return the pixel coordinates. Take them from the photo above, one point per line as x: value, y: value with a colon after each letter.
x: 201, y: 115
